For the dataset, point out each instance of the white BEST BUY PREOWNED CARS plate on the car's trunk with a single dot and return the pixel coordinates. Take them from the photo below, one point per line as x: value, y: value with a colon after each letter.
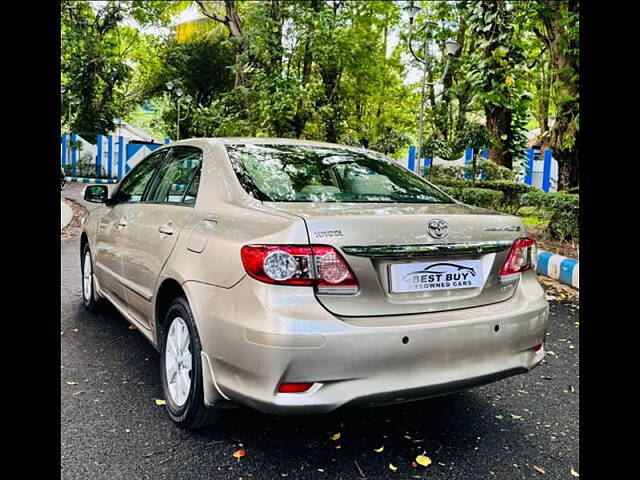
x: 441, y: 275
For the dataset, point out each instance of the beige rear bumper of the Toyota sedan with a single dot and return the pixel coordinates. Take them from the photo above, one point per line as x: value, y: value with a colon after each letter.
x: 277, y: 336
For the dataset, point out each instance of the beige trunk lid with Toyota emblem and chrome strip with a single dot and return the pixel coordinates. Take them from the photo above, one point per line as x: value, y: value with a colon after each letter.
x: 390, y: 251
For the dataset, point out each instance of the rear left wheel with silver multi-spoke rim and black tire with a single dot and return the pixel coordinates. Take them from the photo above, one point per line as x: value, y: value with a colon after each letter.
x: 181, y: 369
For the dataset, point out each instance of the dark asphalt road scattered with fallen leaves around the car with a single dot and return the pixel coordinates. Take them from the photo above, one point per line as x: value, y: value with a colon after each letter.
x: 111, y: 427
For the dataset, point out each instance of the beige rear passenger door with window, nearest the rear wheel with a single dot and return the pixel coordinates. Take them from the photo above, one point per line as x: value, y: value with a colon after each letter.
x: 166, y: 208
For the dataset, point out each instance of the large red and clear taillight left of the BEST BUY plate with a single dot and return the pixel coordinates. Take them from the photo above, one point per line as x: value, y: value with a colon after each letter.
x: 320, y: 266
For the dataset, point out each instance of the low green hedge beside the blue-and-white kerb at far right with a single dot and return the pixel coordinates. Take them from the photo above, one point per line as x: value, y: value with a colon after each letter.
x: 563, y: 208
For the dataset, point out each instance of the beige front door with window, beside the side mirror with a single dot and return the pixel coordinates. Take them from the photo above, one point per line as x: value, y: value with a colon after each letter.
x: 112, y: 226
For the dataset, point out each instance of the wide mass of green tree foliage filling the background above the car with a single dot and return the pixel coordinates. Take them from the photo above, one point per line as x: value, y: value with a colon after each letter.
x: 325, y: 70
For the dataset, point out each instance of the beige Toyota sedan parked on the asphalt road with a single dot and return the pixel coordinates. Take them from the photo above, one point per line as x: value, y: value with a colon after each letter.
x: 298, y: 277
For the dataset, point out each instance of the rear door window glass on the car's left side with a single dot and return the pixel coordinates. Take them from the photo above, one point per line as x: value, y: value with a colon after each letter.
x: 178, y: 178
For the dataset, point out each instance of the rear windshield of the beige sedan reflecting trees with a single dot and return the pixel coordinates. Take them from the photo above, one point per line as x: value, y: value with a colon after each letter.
x: 302, y: 173
